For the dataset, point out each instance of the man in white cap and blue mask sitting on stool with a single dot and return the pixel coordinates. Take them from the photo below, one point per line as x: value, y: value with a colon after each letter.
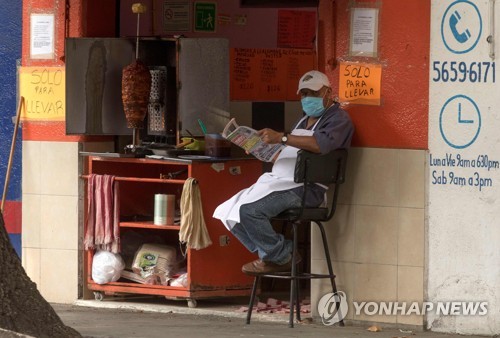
x: 323, y: 128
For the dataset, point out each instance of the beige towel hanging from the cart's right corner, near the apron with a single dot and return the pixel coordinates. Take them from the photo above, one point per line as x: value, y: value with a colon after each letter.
x: 193, y: 230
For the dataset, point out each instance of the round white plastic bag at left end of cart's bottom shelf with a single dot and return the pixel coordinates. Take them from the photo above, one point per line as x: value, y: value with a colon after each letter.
x: 106, y: 267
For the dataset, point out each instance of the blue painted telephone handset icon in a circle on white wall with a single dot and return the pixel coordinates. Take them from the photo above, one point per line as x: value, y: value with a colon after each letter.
x: 461, y: 27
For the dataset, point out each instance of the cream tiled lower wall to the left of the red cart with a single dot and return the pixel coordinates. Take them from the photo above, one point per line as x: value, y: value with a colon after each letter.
x: 50, y: 218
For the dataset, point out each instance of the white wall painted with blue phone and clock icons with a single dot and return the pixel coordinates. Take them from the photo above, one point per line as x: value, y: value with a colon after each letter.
x: 463, y: 234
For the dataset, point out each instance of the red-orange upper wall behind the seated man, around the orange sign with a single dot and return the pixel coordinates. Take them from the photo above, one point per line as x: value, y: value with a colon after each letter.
x: 404, y: 39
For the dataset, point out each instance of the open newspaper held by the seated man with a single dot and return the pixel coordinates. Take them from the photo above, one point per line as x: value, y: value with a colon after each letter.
x: 248, y: 139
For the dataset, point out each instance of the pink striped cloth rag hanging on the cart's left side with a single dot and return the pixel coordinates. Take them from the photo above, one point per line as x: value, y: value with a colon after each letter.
x: 102, y: 225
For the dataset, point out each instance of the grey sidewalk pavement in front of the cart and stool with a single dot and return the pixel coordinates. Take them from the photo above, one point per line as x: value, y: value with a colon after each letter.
x: 150, y: 318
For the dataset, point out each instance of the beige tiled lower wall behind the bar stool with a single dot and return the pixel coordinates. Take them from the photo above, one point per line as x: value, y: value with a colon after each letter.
x: 376, y: 237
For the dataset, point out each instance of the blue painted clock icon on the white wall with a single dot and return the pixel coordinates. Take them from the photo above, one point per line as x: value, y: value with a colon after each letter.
x: 460, y: 121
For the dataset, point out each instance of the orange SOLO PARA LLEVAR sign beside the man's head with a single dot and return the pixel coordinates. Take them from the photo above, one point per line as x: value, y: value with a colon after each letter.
x: 360, y: 83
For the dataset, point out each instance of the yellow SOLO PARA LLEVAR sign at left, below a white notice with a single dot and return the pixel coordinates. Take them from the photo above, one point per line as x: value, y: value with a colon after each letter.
x: 43, y: 89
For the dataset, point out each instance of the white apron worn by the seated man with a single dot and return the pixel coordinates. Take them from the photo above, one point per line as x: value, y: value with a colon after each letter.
x: 280, y: 178
